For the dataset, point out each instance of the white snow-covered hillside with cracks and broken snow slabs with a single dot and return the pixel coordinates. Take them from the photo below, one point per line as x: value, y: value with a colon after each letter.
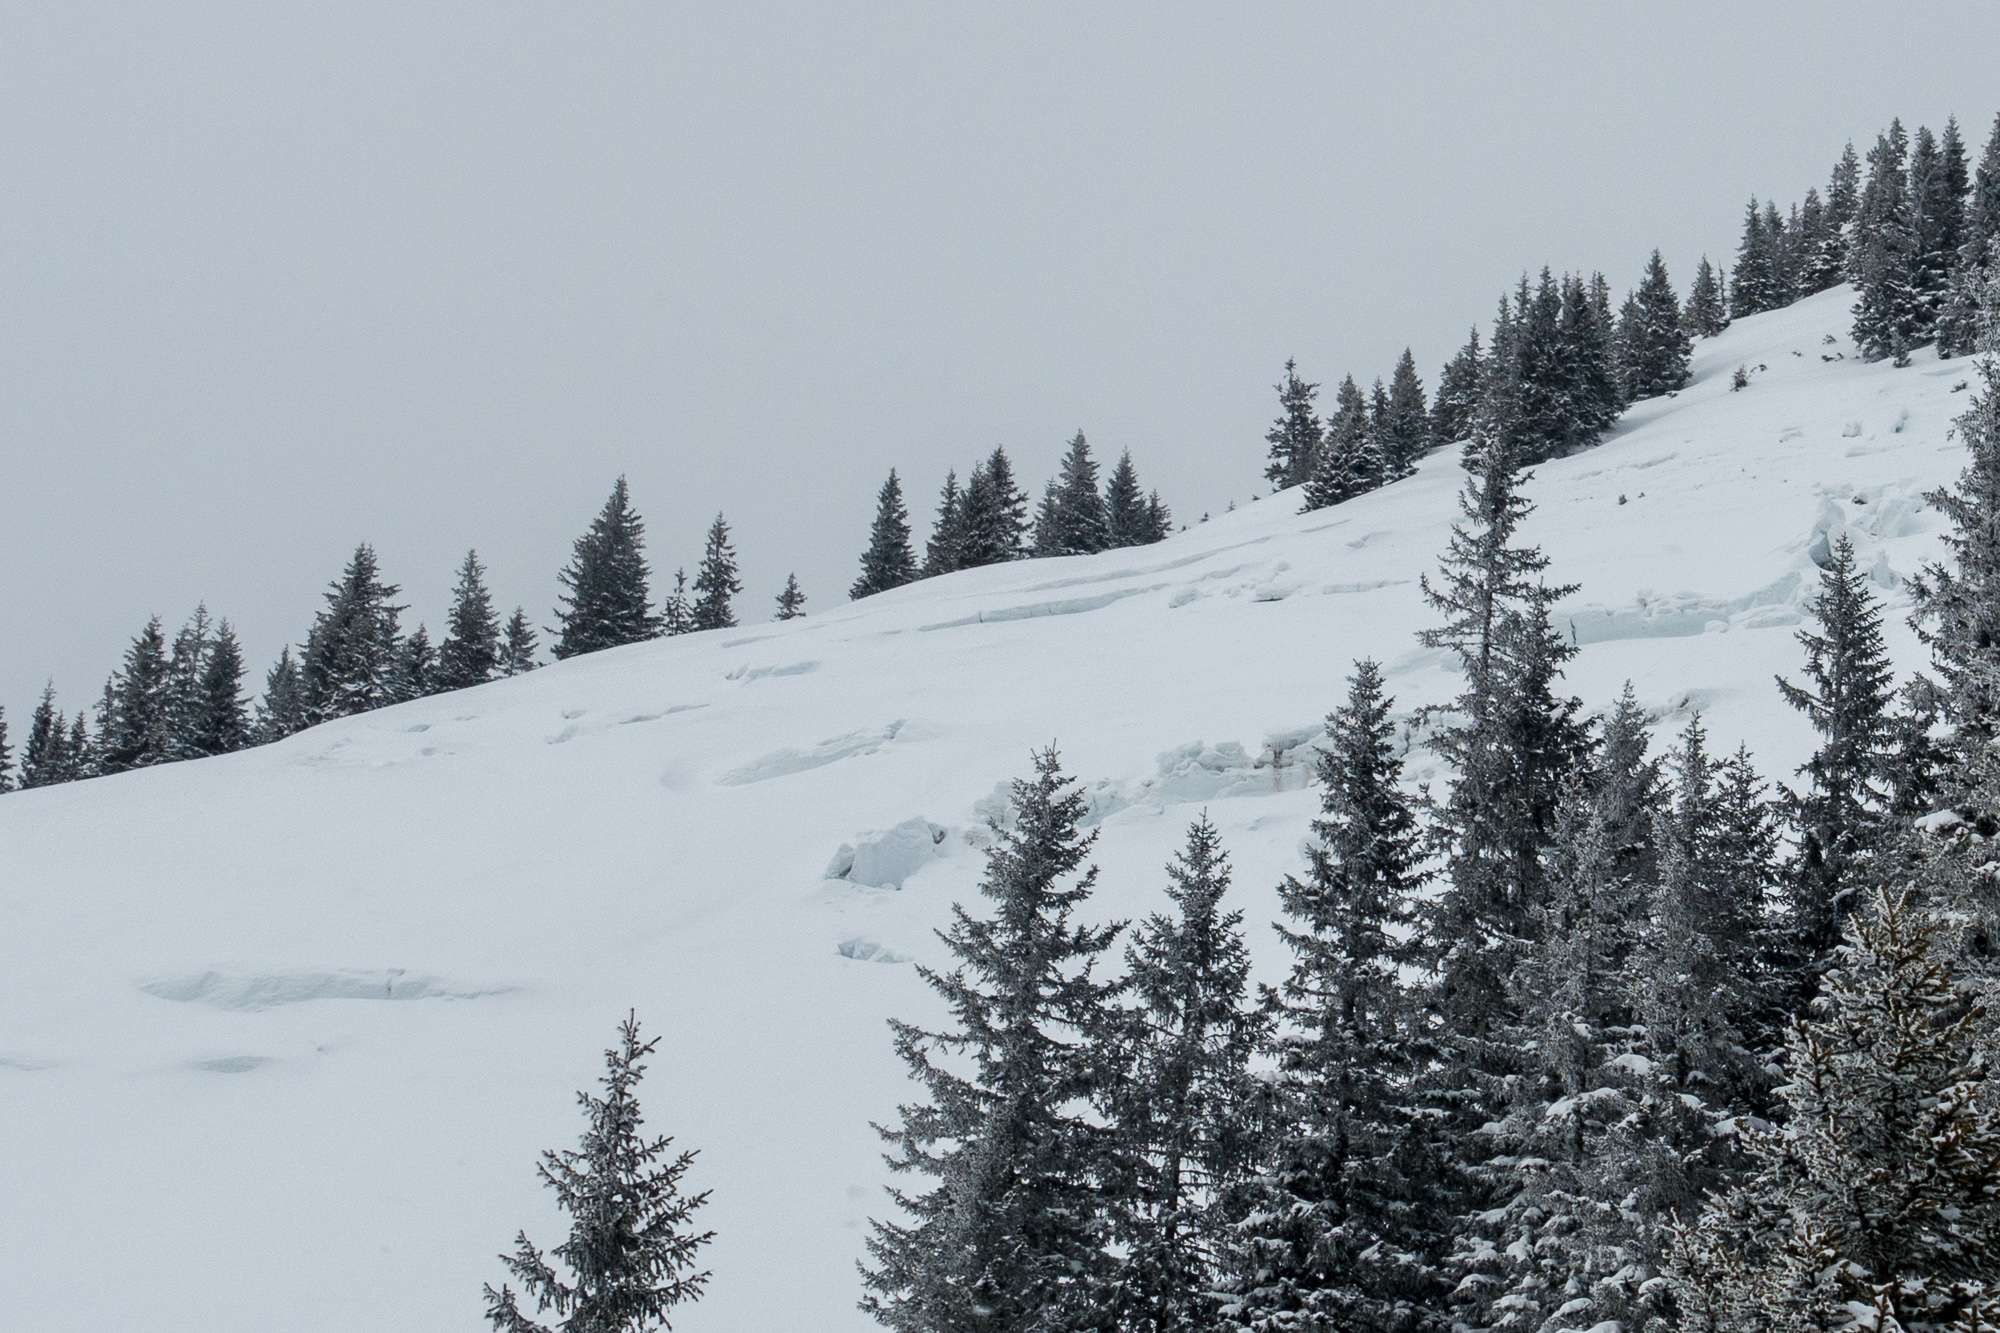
x: 281, y: 1034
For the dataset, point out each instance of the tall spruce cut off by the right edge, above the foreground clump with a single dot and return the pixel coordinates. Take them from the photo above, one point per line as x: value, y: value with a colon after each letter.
x: 1959, y: 597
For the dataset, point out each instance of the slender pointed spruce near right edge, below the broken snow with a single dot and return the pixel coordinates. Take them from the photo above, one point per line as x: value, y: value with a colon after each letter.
x: 1841, y: 818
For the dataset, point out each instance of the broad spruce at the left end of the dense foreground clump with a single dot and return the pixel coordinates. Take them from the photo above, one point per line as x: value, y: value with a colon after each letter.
x: 1013, y: 1236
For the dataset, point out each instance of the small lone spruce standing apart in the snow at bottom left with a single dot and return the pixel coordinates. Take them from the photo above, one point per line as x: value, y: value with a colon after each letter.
x: 633, y: 1248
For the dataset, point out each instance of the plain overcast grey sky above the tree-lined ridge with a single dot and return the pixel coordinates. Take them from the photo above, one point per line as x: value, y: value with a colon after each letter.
x: 285, y: 277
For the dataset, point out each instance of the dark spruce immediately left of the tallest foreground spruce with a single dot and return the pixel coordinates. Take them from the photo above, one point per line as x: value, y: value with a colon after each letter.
x: 1343, y: 1212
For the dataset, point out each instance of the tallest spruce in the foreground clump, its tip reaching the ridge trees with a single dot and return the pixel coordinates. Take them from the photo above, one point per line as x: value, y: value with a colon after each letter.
x: 1511, y: 742
